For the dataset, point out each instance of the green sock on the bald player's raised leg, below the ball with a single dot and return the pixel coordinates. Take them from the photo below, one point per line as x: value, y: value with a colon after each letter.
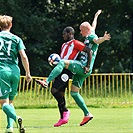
x: 56, y: 71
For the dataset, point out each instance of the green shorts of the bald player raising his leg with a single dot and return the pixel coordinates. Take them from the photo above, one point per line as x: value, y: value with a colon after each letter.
x: 77, y: 69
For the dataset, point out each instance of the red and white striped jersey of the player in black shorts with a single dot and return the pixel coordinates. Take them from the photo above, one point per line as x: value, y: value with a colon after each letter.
x: 71, y: 49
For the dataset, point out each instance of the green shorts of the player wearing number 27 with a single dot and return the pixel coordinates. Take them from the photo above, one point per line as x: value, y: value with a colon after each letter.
x: 8, y: 84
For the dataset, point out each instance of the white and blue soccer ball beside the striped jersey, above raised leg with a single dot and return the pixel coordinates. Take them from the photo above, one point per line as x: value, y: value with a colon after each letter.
x: 54, y: 59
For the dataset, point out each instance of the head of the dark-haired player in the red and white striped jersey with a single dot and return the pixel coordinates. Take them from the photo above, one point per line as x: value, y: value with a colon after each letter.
x: 68, y: 33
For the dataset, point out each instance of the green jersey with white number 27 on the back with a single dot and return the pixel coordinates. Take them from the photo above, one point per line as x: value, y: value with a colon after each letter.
x: 10, y: 45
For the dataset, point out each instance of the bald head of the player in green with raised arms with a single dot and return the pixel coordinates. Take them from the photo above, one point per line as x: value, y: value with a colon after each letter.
x: 85, y: 29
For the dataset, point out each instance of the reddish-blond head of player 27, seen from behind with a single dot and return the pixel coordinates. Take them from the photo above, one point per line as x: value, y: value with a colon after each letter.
x: 5, y: 22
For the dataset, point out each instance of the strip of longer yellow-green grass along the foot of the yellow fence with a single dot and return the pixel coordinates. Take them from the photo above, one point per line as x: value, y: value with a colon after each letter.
x: 25, y: 100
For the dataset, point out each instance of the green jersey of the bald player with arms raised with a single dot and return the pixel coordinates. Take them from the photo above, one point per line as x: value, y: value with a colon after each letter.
x: 93, y: 46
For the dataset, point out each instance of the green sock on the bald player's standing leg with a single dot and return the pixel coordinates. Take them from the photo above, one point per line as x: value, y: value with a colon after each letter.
x: 80, y: 102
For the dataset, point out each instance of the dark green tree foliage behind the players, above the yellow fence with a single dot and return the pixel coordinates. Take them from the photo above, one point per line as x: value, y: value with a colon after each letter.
x: 40, y: 24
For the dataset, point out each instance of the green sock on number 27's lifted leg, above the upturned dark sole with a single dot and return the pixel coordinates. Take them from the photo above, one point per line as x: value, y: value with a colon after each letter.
x: 9, y: 111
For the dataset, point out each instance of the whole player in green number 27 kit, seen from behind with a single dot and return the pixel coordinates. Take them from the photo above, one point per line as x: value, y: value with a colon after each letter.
x: 10, y: 46
